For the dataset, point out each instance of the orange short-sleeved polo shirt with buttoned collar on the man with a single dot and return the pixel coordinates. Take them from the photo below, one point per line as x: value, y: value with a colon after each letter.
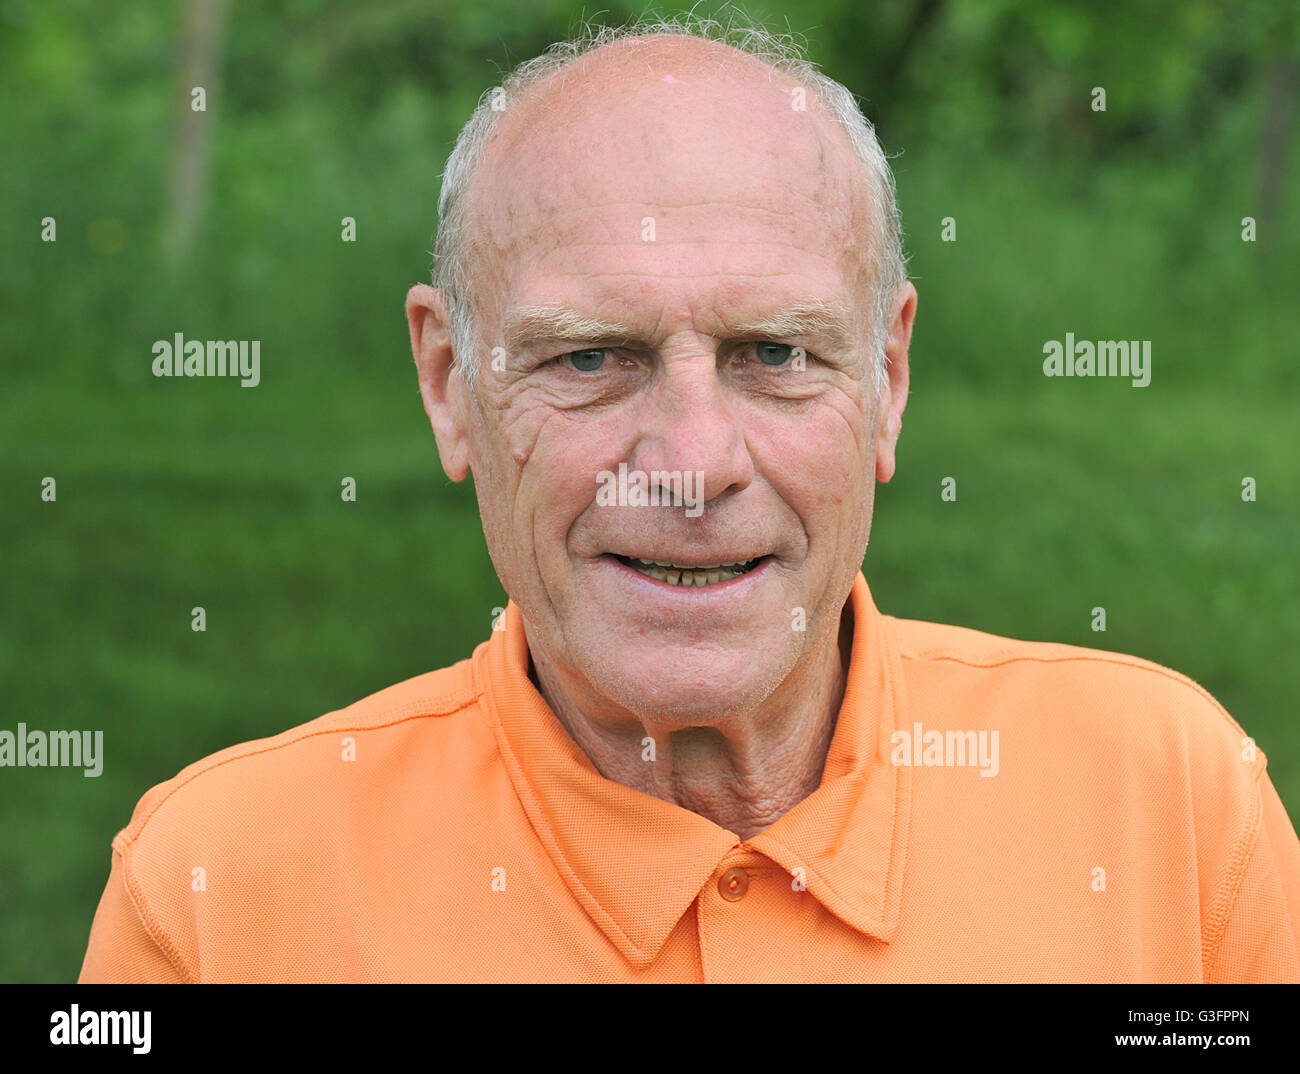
x: 1120, y: 828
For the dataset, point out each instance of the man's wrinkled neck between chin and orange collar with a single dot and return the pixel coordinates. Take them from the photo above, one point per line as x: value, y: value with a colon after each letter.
x: 744, y: 770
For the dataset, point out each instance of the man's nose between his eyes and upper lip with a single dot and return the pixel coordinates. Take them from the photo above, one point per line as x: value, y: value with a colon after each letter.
x: 690, y: 423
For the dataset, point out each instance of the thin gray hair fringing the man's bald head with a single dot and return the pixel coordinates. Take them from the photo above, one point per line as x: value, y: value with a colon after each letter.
x: 779, y: 51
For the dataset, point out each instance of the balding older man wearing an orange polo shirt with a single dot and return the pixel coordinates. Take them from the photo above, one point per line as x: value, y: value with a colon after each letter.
x: 670, y: 343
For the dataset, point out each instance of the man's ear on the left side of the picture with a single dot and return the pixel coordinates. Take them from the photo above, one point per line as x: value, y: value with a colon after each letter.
x: 441, y: 386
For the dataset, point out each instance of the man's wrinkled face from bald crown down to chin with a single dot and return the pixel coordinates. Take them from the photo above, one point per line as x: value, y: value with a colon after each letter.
x: 686, y: 207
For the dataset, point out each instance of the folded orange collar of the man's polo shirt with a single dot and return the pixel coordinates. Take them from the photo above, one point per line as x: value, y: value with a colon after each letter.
x: 636, y: 863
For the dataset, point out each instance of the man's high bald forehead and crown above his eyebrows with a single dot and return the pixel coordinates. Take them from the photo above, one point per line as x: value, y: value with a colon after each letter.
x: 642, y: 168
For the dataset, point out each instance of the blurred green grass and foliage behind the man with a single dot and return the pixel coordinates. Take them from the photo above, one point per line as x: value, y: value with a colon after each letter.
x: 175, y: 493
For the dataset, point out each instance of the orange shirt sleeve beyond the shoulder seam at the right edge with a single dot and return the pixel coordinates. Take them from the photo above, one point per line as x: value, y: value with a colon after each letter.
x: 1262, y: 939
